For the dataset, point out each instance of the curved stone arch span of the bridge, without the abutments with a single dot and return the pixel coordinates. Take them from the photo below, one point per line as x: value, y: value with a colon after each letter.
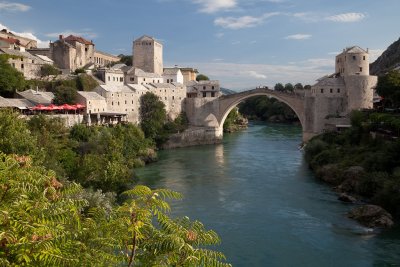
x: 228, y: 102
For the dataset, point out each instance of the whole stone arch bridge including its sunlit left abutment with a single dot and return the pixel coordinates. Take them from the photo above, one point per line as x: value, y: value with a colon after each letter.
x: 211, y: 114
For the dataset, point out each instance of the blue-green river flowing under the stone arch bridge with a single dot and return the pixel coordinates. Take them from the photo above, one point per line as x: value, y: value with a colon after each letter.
x: 256, y: 192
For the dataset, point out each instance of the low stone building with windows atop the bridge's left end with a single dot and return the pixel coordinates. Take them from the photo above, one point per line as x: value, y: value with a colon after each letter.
x: 203, y: 89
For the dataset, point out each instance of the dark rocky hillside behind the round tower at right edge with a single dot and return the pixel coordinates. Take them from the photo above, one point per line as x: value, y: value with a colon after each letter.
x: 389, y: 60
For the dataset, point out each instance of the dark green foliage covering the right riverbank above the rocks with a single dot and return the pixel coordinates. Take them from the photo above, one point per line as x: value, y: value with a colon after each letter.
x: 371, y: 143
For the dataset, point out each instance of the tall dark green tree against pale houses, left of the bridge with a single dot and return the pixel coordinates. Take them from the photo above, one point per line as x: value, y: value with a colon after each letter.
x: 153, y: 115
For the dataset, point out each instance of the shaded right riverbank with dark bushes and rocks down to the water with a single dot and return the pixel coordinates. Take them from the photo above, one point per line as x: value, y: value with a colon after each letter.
x: 363, y: 169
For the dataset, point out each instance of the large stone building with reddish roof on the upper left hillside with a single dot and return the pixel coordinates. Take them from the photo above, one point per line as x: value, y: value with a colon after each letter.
x: 72, y: 52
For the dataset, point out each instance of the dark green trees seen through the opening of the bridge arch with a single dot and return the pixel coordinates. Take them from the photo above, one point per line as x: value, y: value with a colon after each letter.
x: 265, y: 108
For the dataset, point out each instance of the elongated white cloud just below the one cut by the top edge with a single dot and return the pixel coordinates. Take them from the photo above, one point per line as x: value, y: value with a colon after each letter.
x: 235, y: 23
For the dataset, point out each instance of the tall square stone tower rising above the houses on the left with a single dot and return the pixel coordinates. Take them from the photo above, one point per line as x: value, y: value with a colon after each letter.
x: 147, y: 55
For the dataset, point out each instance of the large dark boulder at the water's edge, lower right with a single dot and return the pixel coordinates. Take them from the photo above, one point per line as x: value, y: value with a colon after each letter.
x: 371, y: 216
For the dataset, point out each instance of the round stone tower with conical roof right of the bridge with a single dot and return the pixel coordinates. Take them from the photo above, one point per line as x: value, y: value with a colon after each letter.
x: 353, y: 65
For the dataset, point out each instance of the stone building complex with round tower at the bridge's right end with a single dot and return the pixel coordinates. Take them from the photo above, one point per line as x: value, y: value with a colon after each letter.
x: 333, y: 97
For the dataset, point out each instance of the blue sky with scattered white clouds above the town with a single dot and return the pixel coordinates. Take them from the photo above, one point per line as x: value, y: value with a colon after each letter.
x: 241, y: 43
